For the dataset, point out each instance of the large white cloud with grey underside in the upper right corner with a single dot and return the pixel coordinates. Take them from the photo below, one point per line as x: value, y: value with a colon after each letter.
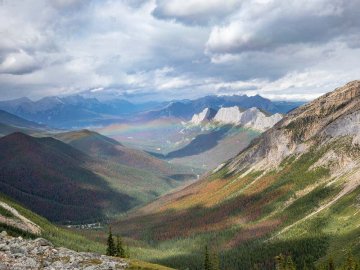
x: 272, y: 24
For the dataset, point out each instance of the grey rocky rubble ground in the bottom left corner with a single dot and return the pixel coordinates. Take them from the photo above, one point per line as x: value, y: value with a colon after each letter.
x: 17, y: 253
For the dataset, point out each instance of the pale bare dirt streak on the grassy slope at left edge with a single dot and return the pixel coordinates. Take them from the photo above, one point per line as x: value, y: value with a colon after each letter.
x: 21, y: 222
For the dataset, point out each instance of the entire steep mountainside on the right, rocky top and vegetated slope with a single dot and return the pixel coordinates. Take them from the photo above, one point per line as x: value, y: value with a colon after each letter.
x: 294, y: 190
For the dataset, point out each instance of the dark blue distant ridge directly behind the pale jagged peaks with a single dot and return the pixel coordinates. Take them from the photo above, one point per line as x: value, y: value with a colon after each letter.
x: 188, y: 108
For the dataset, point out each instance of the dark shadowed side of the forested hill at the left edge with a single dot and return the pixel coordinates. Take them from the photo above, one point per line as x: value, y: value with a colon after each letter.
x: 55, y: 180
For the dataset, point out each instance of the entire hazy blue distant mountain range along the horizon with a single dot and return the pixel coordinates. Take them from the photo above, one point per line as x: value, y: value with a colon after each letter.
x: 78, y: 111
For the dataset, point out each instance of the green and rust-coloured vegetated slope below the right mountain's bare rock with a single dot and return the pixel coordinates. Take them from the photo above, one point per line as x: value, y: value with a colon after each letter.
x: 240, y: 214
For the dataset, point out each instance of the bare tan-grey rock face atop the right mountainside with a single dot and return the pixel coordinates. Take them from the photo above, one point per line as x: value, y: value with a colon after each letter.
x: 333, y: 116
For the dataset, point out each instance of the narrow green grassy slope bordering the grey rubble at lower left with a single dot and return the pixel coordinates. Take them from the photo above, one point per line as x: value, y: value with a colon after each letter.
x: 69, y: 239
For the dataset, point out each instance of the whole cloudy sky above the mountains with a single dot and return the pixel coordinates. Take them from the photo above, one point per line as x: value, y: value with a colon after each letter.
x: 174, y: 49
